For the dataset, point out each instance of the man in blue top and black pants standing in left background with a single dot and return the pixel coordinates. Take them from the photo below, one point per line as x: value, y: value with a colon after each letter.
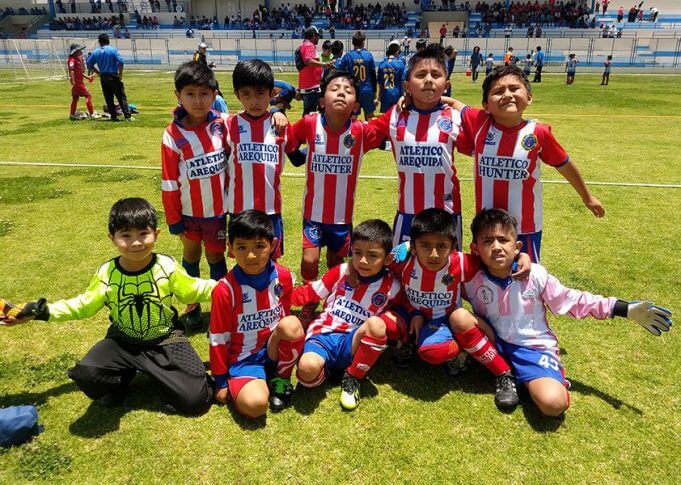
x: 110, y: 70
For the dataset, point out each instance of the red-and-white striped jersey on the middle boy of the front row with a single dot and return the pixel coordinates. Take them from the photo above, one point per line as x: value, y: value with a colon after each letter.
x: 346, y: 308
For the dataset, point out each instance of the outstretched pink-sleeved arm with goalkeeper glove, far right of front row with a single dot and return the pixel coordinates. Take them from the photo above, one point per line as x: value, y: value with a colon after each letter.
x: 581, y: 304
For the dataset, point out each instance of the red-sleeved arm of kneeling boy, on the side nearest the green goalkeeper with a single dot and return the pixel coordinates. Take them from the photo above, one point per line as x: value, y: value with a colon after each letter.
x: 219, y: 336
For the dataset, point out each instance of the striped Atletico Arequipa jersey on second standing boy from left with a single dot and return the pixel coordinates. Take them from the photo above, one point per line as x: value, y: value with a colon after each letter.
x: 255, y: 165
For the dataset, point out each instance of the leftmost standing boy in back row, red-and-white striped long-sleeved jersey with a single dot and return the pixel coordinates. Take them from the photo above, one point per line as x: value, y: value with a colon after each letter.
x: 194, y: 174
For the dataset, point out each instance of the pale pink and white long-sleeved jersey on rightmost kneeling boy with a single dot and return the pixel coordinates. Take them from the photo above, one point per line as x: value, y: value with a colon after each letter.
x: 517, y: 309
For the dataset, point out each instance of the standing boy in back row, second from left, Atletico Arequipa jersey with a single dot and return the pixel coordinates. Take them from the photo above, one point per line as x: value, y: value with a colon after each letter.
x: 257, y: 147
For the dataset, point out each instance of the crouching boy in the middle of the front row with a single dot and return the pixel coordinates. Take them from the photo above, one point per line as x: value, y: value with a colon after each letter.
x: 350, y: 333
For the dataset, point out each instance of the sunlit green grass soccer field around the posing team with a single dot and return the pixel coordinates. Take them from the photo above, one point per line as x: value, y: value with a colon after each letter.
x: 414, y: 425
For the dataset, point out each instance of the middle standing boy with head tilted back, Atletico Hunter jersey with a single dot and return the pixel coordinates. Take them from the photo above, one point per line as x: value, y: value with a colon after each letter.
x: 336, y: 145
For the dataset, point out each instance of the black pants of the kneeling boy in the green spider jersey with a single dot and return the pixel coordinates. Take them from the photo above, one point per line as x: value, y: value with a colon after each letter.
x: 110, y: 365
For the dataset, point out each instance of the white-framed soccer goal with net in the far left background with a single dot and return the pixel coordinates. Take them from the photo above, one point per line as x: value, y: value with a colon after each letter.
x: 37, y: 59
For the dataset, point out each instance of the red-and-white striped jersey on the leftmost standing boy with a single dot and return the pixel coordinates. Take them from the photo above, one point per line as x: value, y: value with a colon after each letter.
x: 194, y: 168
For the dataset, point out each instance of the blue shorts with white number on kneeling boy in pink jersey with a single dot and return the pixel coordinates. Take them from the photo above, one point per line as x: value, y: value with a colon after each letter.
x: 530, y: 364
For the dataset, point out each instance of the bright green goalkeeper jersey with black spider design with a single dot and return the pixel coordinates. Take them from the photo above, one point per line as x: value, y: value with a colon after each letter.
x: 140, y: 303
